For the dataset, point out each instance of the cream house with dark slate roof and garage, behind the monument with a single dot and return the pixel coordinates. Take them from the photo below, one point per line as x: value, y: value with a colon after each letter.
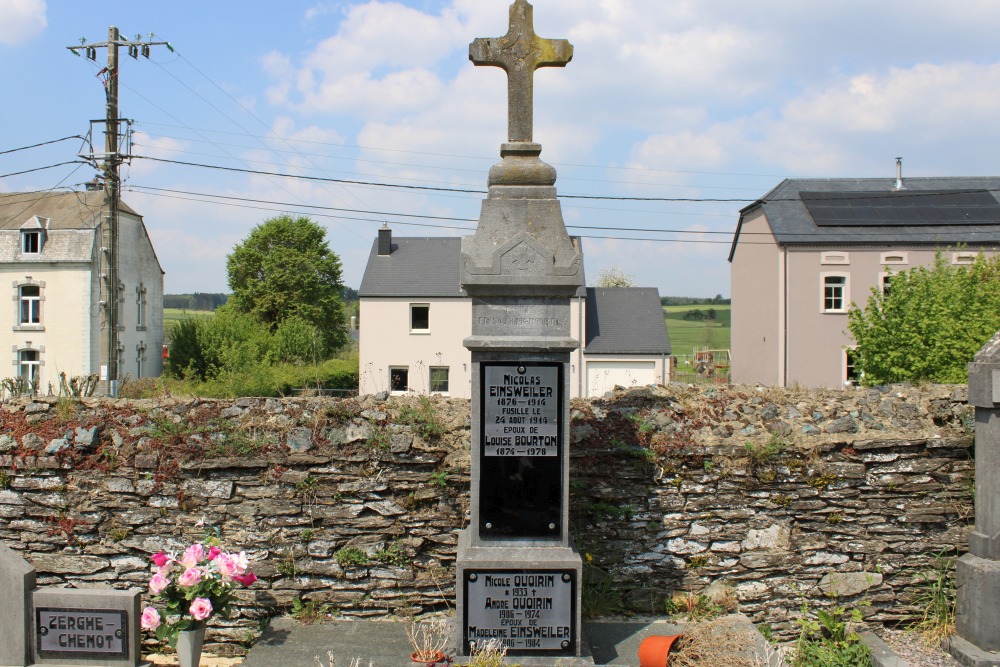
x: 415, y: 317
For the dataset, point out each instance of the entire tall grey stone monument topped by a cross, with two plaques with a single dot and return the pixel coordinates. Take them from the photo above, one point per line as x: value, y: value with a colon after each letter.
x: 518, y: 575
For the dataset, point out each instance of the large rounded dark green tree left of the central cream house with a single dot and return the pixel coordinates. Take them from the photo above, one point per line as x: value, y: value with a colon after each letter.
x: 285, y: 269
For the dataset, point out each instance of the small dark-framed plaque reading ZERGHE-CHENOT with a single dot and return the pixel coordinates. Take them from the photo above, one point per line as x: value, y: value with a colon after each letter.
x: 81, y: 633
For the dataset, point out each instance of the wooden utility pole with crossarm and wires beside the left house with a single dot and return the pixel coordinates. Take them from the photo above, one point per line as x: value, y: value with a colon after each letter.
x: 111, y: 160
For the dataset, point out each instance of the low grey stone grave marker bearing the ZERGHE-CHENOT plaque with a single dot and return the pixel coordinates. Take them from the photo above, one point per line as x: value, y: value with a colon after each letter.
x: 64, y: 626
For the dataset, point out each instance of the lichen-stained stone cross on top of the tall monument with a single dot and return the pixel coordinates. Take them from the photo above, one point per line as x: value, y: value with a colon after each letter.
x: 519, y: 53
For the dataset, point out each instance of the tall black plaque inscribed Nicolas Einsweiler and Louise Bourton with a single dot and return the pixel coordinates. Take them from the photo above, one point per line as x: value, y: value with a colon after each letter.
x: 521, y: 450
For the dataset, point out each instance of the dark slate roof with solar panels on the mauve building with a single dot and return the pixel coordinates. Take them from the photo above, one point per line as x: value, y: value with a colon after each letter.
x: 908, y: 217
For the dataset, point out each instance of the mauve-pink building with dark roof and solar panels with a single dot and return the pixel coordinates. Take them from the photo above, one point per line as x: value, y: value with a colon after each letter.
x: 810, y: 247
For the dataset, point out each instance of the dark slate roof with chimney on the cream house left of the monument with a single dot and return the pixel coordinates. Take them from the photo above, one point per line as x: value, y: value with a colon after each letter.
x: 416, y: 267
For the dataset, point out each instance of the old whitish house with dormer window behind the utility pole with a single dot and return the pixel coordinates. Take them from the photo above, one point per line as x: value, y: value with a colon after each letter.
x: 52, y: 263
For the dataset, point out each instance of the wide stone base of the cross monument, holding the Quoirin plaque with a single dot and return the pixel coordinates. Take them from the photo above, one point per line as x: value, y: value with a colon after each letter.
x: 525, y: 594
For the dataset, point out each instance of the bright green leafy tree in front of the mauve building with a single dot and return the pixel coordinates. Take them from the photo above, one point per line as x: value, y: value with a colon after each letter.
x: 929, y: 324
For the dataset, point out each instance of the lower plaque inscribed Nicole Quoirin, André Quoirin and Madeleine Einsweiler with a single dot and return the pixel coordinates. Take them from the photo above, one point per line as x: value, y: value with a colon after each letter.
x: 530, y: 611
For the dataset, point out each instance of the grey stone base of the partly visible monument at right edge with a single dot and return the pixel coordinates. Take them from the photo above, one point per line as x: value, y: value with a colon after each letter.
x: 977, y: 613
